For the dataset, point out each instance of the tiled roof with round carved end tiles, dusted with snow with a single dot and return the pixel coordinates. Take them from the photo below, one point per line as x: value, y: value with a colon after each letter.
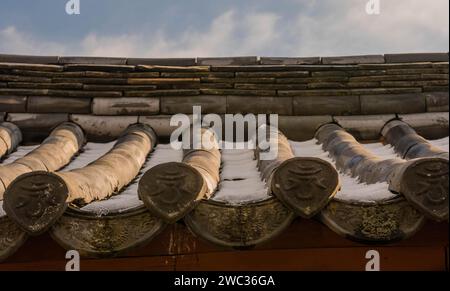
x: 363, y: 145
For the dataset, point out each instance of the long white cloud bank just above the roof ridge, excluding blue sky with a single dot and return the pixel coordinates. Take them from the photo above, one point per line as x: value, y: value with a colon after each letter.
x: 325, y: 27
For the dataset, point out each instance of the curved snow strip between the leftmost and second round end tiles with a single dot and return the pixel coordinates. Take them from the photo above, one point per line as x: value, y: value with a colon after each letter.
x: 128, y: 198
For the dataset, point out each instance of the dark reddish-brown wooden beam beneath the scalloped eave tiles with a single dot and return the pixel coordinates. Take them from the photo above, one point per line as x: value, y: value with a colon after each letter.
x: 289, y: 251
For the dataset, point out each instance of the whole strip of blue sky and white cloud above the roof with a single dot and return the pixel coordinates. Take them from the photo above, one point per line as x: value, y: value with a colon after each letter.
x: 190, y: 28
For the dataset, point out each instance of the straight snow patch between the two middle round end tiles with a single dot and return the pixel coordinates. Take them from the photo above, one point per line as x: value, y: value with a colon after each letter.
x: 240, y: 179
